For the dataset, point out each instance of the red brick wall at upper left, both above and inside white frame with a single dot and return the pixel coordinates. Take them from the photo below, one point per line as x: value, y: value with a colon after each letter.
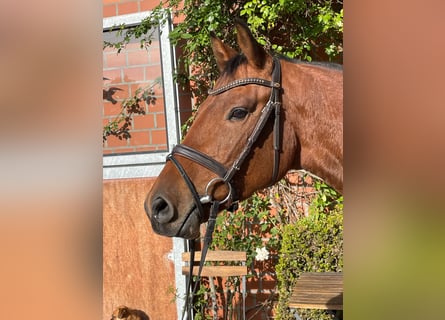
x: 136, y: 68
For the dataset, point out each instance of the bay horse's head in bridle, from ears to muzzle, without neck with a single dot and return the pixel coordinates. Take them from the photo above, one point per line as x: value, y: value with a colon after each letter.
x: 235, y: 145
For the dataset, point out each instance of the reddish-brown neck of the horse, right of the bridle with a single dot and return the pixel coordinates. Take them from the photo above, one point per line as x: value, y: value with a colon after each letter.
x: 313, y: 106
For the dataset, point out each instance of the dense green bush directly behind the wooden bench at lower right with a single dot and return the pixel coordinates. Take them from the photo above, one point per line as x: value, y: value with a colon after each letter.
x: 313, y: 243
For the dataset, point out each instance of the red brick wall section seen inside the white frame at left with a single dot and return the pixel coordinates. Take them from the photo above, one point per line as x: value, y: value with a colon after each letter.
x: 129, y: 70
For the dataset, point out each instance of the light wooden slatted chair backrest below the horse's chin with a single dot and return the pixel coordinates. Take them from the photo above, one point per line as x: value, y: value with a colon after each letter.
x: 219, y: 269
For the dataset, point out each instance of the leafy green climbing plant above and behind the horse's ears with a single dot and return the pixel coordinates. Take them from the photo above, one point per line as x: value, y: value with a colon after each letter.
x: 298, y: 29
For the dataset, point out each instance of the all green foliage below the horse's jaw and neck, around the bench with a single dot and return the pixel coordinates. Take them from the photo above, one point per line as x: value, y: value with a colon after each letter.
x: 313, y: 243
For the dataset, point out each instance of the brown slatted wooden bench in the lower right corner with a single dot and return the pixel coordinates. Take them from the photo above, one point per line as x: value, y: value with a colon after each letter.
x: 318, y: 290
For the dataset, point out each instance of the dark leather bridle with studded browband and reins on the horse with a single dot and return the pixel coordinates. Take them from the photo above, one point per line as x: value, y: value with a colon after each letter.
x: 225, y: 175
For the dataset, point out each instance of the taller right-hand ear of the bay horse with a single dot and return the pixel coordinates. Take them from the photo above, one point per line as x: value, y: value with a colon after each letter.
x: 254, y: 52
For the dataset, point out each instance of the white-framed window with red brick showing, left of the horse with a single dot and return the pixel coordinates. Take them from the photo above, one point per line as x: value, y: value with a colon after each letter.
x: 156, y: 132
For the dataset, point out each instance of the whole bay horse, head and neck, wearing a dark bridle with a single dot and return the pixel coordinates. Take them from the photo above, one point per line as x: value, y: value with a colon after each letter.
x: 265, y: 116
